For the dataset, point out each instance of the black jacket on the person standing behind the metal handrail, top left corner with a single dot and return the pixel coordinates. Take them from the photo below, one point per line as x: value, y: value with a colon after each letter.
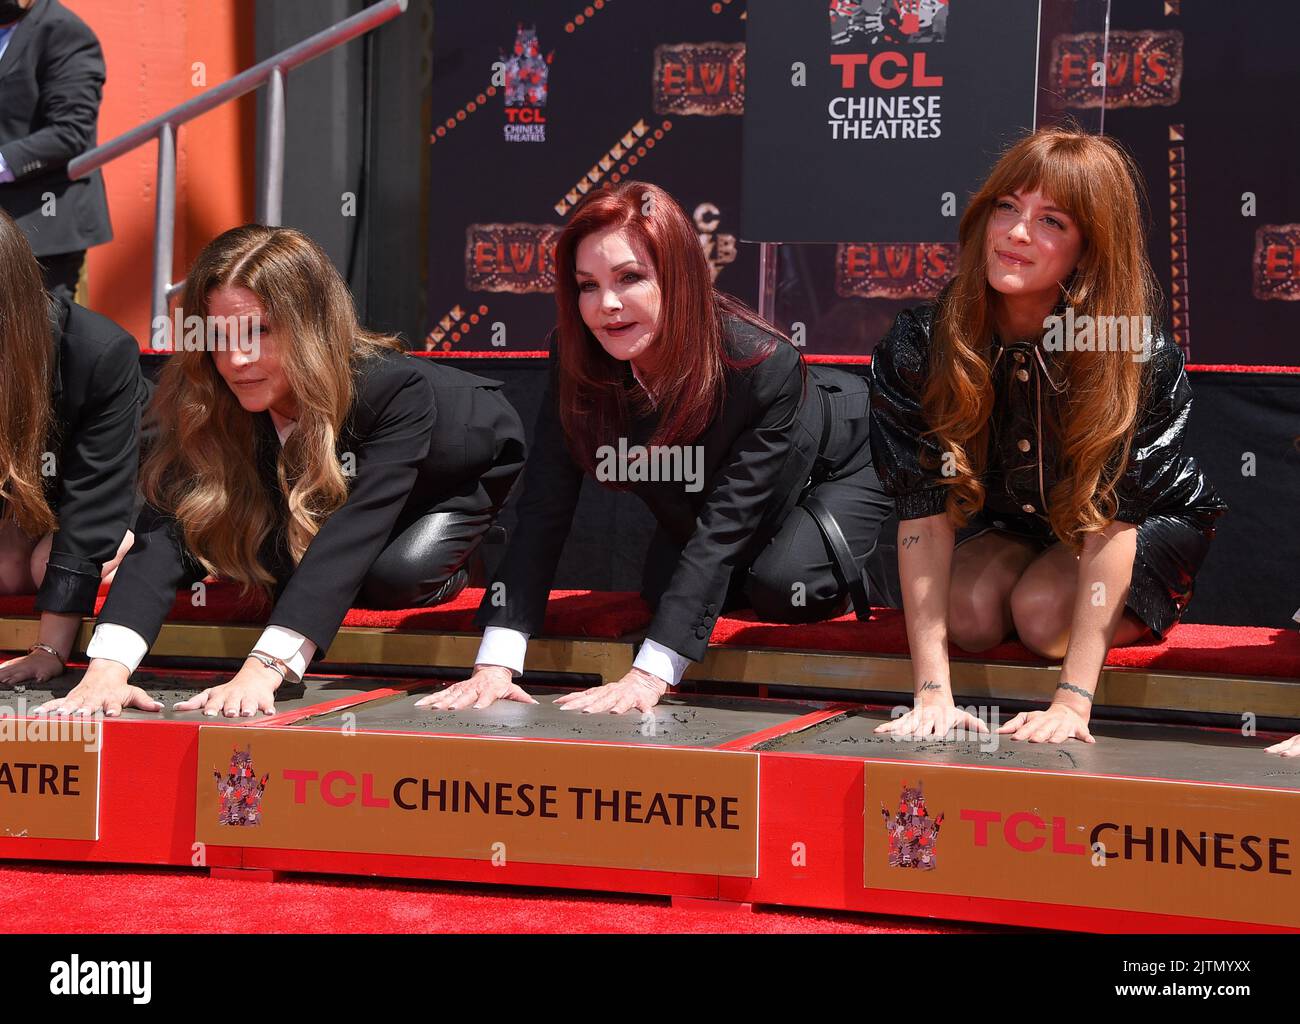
x: 51, y: 81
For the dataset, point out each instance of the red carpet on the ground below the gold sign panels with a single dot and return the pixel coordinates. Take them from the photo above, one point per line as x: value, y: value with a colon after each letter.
x: 42, y: 899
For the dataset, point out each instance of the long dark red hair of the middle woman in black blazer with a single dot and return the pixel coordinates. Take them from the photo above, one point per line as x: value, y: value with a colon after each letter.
x: 688, y: 358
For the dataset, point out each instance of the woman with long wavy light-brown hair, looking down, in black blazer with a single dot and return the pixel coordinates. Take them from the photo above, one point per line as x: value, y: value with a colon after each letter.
x: 300, y: 455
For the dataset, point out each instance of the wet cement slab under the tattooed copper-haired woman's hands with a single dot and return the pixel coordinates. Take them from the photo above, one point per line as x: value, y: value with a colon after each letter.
x: 1123, y: 749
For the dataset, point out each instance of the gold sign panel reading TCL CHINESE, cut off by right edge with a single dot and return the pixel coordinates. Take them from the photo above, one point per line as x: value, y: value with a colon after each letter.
x: 1116, y: 844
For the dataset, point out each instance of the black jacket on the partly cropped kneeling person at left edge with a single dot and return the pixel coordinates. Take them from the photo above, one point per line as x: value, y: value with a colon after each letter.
x: 98, y: 396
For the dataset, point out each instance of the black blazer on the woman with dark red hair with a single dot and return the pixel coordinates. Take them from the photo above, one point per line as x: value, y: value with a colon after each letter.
x: 759, y: 454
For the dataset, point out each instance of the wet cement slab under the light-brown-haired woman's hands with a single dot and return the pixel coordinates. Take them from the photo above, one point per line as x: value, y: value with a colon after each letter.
x: 171, y: 689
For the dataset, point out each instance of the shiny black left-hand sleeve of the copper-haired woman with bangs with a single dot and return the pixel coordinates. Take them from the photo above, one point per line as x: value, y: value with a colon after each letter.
x: 899, y: 370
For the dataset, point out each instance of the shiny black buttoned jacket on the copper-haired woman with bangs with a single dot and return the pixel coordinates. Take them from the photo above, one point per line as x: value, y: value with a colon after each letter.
x: 1029, y: 383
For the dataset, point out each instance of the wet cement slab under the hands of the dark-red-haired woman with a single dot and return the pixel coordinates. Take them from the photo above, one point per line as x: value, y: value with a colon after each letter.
x: 696, y: 722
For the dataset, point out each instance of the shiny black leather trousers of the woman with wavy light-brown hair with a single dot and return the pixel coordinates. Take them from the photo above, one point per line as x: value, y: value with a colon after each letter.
x: 428, y: 563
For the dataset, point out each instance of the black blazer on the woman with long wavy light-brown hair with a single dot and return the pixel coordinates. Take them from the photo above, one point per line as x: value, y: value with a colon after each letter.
x: 427, y: 437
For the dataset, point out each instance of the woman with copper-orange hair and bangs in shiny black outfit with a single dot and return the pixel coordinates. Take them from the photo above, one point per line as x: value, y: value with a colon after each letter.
x: 1039, y: 480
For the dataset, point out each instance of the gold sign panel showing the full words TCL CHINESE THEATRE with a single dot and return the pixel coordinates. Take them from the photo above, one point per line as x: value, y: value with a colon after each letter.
x: 484, y: 800
